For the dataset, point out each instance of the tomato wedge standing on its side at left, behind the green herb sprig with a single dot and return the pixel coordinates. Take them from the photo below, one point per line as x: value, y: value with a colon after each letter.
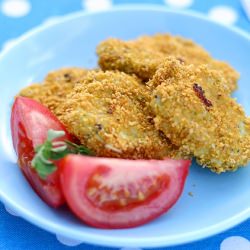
x: 30, y: 122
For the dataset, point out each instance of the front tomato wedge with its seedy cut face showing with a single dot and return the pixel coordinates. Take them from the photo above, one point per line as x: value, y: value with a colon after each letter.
x: 118, y: 193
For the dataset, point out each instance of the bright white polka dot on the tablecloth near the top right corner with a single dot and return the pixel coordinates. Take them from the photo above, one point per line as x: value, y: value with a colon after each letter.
x: 223, y: 14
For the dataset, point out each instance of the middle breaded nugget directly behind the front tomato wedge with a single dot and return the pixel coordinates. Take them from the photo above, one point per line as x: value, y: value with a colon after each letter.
x: 107, y: 112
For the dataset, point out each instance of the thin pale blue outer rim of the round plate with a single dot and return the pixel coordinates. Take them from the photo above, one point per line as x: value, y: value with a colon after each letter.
x: 91, y: 238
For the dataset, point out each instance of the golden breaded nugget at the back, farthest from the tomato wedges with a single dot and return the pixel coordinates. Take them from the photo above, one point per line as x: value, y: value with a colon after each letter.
x: 144, y: 55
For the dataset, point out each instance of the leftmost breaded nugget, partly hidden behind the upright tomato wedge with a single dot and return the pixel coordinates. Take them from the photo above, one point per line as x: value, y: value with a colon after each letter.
x: 56, y: 86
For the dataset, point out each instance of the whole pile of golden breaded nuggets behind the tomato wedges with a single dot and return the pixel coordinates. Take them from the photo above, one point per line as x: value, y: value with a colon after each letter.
x: 151, y: 98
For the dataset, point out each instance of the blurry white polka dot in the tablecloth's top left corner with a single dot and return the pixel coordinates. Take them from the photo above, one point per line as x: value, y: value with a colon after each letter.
x: 15, y: 8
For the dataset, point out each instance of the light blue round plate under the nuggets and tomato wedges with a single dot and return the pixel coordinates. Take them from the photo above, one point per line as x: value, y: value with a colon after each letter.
x: 219, y: 201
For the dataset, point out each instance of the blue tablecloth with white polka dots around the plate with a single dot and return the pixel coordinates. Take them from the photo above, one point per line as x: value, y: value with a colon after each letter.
x: 17, y: 17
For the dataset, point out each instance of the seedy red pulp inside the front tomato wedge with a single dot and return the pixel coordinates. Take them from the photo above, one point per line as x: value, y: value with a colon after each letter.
x: 123, y: 197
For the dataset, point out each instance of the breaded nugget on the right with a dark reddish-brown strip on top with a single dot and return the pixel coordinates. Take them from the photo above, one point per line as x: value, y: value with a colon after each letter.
x: 193, y: 110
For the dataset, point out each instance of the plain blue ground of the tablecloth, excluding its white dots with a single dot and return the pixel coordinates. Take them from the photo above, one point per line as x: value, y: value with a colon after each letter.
x: 15, y: 233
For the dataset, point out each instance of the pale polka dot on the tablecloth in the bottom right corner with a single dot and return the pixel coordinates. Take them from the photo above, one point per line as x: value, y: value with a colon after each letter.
x: 235, y: 243
